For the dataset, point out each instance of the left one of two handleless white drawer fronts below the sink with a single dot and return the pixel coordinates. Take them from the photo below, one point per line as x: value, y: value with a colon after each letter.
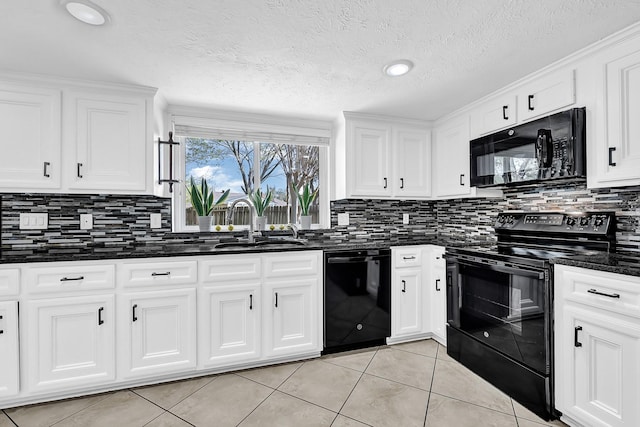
x: 222, y: 269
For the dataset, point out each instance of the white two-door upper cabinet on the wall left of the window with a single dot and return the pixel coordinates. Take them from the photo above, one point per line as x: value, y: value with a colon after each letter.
x: 85, y: 138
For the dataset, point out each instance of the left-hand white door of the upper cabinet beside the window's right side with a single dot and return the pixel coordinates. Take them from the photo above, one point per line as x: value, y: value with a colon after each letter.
x: 369, y: 164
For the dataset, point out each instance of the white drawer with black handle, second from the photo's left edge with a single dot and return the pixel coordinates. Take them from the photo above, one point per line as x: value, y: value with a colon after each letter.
x: 69, y: 278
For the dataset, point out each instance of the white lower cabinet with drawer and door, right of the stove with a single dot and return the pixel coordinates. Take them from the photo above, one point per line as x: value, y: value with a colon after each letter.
x: 597, y: 357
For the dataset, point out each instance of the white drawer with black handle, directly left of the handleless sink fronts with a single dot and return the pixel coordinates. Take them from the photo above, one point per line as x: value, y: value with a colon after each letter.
x: 157, y: 273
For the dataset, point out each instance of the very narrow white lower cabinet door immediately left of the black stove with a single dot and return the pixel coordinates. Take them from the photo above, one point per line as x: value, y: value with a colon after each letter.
x: 438, y: 295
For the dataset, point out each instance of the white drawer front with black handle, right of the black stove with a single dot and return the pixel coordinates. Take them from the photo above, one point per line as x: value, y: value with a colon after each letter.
x: 608, y: 291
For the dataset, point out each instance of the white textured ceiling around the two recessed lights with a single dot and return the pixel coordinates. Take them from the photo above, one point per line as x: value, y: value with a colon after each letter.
x: 308, y: 58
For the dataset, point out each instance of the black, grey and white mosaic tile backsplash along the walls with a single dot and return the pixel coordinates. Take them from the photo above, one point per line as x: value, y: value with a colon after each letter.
x: 123, y: 221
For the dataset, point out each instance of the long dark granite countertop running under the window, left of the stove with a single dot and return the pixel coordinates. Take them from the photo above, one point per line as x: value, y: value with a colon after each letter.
x: 175, y: 248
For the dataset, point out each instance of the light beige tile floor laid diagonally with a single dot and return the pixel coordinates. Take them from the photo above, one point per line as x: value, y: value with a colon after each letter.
x: 412, y: 384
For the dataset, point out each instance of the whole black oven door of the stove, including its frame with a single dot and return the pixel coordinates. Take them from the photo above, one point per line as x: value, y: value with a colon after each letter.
x: 504, y: 307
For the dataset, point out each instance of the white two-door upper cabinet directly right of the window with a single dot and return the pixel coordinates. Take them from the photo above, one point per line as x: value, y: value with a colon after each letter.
x: 387, y: 159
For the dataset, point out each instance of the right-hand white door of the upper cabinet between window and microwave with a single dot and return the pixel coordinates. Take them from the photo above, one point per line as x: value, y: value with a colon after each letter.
x: 412, y: 163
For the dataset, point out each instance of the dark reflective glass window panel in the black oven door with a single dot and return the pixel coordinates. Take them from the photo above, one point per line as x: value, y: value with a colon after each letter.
x: 505, y: 311
